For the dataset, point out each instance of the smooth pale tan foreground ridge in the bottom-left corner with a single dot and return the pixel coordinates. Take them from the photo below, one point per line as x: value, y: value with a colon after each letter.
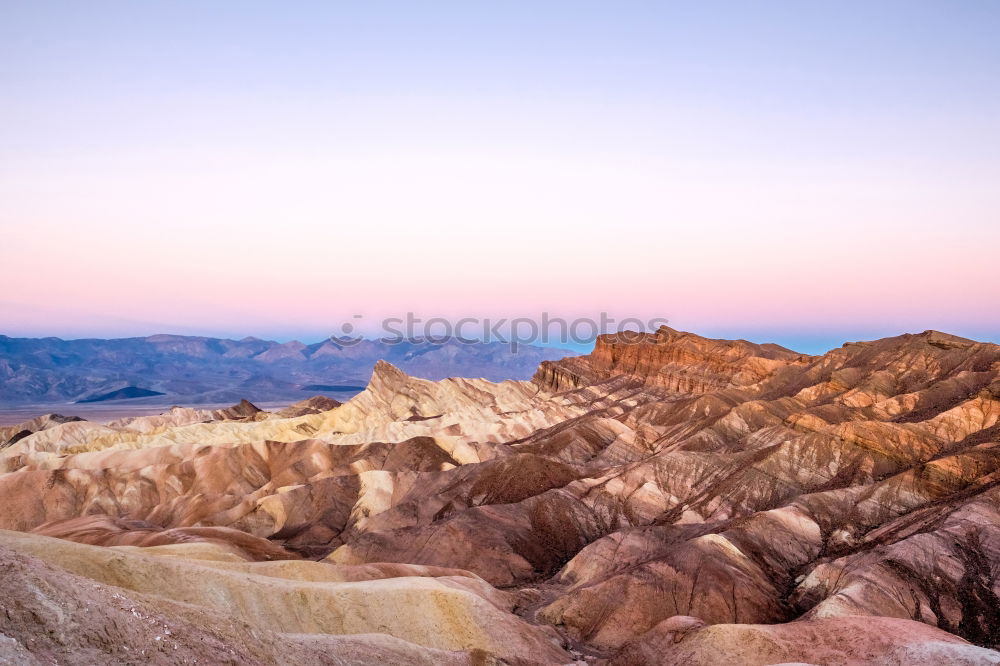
x: 143, y: 606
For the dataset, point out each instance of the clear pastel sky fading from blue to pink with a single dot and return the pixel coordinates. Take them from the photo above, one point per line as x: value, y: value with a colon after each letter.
x: 798, y: 172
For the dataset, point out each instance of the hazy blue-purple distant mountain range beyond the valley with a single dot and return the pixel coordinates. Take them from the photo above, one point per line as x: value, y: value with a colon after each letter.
x: 193, y: 370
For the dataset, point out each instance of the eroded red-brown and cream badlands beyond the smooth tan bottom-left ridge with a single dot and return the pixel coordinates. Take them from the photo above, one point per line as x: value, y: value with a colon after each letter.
x: 667, y: 495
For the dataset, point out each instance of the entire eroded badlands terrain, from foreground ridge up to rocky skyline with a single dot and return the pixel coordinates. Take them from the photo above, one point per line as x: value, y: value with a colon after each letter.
x: 667, y: 499
